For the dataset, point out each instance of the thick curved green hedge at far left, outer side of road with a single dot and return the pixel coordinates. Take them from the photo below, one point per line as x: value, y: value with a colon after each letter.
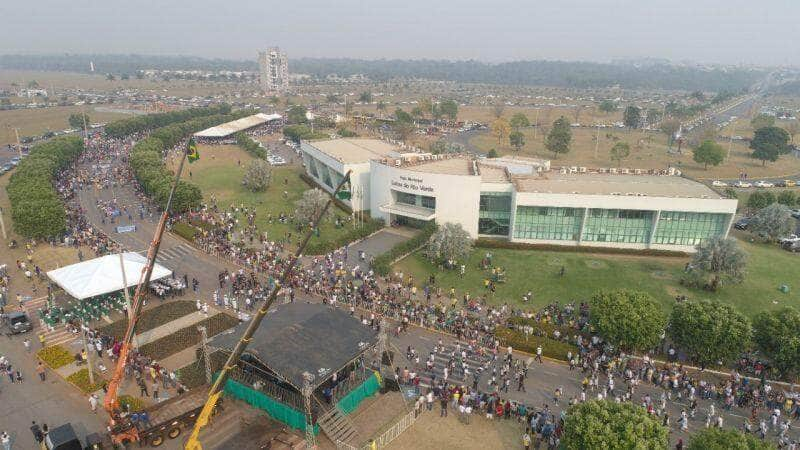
x: 37, y: 210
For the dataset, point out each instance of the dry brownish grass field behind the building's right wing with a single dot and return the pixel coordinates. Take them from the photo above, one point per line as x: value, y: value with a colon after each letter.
x: 648, y: 151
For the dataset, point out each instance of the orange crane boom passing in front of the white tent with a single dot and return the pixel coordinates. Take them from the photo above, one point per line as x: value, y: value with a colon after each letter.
x: 122, y: 432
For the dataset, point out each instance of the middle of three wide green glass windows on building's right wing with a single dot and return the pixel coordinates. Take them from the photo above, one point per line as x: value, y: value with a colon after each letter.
x: 618, y: 225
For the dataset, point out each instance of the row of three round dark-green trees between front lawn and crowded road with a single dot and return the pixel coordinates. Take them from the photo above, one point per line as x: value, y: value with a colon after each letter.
x: 710, y: 332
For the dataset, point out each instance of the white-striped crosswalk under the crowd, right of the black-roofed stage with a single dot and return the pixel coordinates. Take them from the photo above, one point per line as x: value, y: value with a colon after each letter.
x: 475, y: 364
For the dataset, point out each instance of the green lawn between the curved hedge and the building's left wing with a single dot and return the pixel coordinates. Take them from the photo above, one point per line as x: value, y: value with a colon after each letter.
x: 219, y: 172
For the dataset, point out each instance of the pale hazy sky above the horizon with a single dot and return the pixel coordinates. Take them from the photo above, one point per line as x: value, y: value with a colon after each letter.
x: 726, y: 31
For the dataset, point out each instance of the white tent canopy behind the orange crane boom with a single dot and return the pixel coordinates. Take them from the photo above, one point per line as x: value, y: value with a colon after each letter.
x: 103, y: 275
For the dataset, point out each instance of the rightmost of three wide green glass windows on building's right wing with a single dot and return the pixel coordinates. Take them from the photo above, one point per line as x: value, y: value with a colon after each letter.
x: 689, y: 228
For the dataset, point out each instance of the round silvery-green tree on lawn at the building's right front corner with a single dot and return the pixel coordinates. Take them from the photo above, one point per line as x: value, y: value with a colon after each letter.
x: 719, y: 261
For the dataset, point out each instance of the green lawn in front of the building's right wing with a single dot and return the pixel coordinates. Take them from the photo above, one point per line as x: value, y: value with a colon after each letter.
x: 538, y: 271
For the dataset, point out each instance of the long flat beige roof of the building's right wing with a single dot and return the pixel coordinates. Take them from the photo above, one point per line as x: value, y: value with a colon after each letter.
x: 611, y: 184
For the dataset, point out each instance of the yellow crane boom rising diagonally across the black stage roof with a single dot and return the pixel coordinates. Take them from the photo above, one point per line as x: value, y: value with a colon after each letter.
x: 216, y: 389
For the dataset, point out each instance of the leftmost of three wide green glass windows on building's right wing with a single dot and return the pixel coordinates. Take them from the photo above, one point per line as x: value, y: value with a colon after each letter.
x: 536, y: 222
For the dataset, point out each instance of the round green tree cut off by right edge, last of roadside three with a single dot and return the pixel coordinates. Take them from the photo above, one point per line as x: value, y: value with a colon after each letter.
x: 775, y: 334
